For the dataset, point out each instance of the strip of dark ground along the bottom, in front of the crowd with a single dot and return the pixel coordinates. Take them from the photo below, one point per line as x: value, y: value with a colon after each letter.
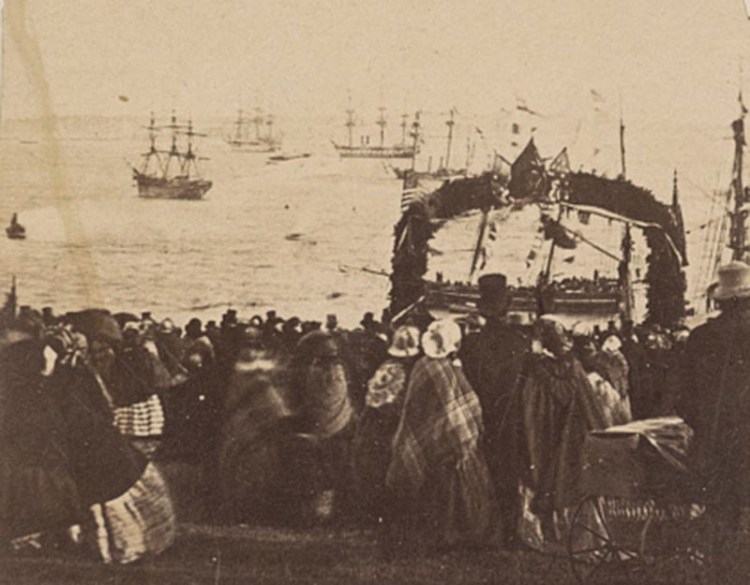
x: 257, y: 556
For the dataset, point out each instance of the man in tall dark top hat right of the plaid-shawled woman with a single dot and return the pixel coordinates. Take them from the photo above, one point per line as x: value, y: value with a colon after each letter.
x: 493, y: 359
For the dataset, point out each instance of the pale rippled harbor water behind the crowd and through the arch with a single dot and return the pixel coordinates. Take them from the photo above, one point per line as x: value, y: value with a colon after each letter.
x: 305, y: 237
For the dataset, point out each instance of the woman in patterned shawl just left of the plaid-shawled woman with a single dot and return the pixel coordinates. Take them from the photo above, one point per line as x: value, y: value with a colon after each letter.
x: 371, y: 449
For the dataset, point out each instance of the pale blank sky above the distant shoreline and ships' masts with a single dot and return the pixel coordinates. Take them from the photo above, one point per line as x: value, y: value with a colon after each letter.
x: 299, y: 57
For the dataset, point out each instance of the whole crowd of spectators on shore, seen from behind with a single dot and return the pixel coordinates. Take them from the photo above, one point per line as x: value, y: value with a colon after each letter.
x: 437, y: 434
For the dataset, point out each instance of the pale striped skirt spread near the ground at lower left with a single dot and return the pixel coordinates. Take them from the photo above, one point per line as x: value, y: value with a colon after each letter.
x: 139, y: 522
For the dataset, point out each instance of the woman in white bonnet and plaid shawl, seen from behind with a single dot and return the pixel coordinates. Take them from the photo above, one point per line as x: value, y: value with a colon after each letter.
x: 439, y: 495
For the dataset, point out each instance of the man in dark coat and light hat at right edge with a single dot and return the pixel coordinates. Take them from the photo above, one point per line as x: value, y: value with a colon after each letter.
x: 715, y: 402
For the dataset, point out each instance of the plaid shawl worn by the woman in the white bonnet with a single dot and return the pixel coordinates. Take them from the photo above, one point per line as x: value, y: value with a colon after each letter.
x: 441, y: 424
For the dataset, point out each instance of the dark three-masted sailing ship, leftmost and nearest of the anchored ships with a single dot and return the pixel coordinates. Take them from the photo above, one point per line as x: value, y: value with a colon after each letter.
x: 173, y: 173
